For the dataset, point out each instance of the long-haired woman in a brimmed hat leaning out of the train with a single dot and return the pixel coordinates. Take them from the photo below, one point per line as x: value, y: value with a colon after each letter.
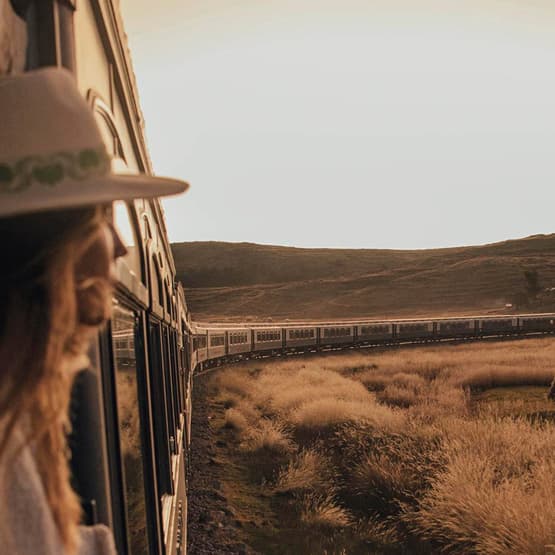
x: 58, y: 249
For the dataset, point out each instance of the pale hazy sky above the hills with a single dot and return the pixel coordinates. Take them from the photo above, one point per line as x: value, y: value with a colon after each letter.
x: 350, y: 123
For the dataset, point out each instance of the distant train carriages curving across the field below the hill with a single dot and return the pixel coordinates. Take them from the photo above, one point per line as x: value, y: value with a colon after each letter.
x: 218, y: 344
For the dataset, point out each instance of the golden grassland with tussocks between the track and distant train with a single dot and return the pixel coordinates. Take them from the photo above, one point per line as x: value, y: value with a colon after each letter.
x: 446, y: 449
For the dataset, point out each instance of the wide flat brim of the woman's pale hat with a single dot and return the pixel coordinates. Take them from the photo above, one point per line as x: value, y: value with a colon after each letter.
x: 96, y: 190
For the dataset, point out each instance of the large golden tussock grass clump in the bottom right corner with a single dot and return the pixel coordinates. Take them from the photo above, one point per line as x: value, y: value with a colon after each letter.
x: 470, y: 509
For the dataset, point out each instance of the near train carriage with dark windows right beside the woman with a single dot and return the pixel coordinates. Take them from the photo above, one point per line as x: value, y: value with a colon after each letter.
x: 130, y: 409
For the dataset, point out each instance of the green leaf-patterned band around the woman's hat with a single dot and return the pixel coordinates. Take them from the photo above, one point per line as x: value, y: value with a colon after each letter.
x: 51, y: 170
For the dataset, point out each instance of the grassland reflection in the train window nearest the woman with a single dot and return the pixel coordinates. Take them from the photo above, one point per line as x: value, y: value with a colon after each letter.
x: 123, y: 332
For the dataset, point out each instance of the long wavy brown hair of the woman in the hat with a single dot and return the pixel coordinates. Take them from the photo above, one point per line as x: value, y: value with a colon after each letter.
x: 48, y: 314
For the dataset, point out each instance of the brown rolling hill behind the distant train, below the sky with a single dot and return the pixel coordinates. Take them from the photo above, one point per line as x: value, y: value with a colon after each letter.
x: 233, y: 281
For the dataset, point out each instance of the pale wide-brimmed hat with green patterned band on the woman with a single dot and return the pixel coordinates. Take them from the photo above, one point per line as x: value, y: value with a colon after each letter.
x: 51, y: 151
